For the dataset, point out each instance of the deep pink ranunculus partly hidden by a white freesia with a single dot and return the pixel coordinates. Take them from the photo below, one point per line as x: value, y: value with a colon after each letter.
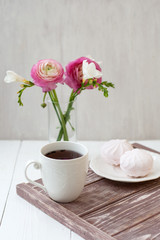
x: 74, y: 73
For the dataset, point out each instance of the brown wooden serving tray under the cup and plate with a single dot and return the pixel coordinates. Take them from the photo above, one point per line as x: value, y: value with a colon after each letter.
x: 106, y: 210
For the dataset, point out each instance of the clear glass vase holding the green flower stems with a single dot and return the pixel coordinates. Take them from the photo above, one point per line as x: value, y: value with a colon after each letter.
x: 61, y: 120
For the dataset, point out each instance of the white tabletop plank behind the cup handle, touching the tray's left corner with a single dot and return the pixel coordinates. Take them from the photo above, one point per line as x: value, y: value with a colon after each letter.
x: 21, y: 220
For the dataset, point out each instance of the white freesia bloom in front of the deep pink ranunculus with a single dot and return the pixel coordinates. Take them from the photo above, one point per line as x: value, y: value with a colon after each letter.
x: 90, y: 71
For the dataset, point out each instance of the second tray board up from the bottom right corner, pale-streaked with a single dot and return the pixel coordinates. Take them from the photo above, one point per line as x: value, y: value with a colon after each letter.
x: 126, y: 213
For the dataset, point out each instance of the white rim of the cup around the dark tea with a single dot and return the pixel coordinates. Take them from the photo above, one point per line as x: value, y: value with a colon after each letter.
x: 63, y: 160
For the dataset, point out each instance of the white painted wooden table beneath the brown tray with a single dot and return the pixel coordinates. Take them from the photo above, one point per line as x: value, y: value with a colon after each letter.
x: 20, y: 220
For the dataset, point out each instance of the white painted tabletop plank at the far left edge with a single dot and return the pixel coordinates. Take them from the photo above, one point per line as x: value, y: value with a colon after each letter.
x: 8, y: 156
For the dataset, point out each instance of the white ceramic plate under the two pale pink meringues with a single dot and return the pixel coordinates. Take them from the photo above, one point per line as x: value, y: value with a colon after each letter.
x: 103, y: 169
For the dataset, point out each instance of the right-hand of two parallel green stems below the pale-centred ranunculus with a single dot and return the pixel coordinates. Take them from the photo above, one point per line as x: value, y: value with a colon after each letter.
x: 63, y: 123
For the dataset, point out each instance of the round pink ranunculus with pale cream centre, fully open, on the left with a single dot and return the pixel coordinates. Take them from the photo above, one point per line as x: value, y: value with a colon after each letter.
x: 47, y: 73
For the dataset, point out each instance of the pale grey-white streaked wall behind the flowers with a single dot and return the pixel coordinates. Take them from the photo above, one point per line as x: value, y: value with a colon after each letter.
x: 123, y: 34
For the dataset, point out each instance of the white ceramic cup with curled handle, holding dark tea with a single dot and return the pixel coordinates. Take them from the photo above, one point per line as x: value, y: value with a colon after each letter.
x: 63, y: 179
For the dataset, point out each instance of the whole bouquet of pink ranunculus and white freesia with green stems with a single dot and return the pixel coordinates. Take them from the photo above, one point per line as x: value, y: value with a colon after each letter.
x: 80, y: 74
